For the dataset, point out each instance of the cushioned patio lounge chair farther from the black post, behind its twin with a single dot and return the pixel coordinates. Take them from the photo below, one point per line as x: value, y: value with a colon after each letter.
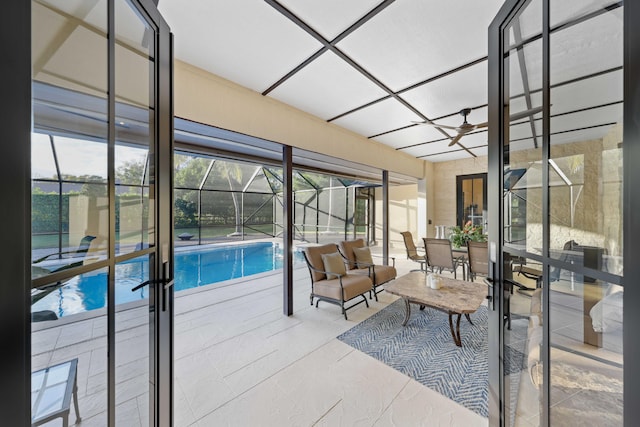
x: 359, y: 260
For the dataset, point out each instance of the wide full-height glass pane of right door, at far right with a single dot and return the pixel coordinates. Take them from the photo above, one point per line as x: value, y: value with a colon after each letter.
x: 585, y: 214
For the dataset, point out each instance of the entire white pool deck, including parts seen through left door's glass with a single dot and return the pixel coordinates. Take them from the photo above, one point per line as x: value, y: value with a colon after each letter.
x: 240, y: 361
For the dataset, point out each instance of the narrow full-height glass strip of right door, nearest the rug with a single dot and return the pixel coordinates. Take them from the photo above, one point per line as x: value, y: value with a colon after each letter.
x: 522, y: 199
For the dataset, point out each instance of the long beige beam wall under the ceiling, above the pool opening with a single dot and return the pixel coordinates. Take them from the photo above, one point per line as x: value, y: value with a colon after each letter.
x: 203, y: 97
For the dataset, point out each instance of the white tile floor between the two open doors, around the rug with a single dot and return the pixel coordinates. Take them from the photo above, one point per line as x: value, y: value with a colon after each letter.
x: 239, y: 361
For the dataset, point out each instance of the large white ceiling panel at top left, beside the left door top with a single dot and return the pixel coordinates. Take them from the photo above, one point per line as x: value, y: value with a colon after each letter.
x: 245, y: 41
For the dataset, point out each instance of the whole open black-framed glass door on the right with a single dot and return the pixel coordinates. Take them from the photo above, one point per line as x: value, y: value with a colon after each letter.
x: 562, y: 110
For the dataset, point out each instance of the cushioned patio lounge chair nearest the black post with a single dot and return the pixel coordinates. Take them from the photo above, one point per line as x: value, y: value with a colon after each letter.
x: 332, y: 283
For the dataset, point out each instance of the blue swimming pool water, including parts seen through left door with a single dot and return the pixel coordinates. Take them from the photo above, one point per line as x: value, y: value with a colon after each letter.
x: 195, y: 267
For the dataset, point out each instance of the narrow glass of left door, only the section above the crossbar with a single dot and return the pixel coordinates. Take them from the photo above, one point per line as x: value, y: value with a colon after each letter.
x: 135, y: 52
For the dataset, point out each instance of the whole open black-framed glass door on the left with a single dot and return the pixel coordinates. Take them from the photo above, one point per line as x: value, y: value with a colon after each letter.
x: 101, y: 252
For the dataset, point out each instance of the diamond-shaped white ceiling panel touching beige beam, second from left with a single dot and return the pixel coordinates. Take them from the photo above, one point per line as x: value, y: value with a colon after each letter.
x: 327, y: 87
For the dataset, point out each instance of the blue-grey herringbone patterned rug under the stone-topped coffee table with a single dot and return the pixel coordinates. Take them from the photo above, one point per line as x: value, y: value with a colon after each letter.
x: 424, y: 350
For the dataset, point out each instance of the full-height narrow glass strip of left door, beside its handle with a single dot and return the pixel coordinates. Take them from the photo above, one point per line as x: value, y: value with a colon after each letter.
x: 133, y: 157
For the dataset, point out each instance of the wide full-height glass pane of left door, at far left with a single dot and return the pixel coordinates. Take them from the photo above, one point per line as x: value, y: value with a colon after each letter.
x: 70, y: 208
